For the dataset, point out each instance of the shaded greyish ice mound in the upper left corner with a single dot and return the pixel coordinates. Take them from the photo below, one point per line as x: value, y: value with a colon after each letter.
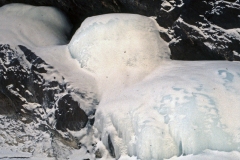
x: 33, y: 26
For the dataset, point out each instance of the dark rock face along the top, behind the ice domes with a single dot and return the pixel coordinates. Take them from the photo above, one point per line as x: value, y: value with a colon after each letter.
x: 196, y: 30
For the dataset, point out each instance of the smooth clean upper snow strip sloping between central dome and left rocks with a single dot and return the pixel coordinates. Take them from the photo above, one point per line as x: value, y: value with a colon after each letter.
x: 60, y: 58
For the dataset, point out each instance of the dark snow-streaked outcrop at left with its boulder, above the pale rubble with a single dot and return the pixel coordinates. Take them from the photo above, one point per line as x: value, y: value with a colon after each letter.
x: 28, y: 88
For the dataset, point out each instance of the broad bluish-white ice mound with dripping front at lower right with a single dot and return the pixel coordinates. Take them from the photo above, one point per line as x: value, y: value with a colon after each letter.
x: 181, y: 108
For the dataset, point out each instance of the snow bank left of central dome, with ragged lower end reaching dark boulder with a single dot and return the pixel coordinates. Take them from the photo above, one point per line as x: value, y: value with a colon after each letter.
x: 67, y: 68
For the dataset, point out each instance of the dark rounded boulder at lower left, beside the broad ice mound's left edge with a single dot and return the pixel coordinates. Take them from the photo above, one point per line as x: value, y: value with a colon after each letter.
x: 69, y: 115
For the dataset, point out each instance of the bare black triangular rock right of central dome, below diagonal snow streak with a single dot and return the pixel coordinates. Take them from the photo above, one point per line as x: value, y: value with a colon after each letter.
x: 189, y: 45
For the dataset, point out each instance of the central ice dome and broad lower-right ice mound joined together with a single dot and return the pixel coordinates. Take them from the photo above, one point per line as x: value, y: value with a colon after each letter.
x: 150, y: 107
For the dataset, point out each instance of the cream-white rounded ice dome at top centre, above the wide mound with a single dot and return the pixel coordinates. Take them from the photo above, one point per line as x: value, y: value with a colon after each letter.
x: 118, y: 41
